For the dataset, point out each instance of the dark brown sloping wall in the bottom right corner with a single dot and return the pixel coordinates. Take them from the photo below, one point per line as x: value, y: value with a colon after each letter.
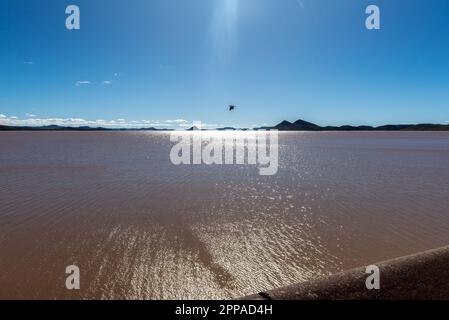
x: 422, y: 276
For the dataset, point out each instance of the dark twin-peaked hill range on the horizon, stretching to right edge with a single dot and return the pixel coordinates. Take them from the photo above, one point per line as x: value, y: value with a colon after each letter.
x: 302, y: 125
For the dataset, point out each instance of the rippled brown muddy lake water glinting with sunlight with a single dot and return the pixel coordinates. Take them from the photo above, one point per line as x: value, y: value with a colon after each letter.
x: 139, y: 227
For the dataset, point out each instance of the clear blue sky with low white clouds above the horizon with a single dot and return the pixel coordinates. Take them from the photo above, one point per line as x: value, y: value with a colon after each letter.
x: 165, y: 62
